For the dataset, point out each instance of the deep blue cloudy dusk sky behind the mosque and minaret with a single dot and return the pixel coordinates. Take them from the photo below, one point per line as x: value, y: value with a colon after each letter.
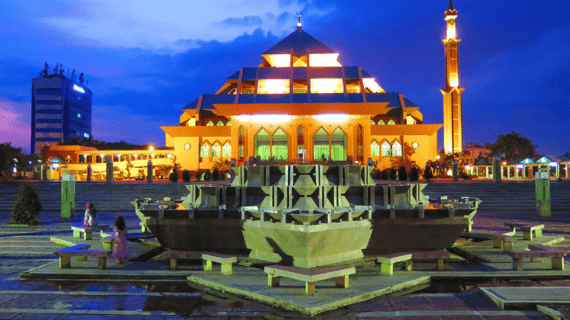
x: 145, y: 60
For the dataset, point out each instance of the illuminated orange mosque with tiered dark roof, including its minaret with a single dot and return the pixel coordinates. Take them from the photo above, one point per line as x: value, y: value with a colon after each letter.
x: 301, y: 104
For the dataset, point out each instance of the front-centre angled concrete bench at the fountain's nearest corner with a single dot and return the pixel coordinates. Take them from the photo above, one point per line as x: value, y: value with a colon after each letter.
x: 340, y: 273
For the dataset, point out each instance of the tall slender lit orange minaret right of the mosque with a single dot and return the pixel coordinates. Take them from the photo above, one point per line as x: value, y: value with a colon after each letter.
x: 452, y: 117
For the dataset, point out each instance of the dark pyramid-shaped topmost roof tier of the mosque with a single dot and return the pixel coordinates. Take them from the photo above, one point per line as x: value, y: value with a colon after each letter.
x: 299, y: 41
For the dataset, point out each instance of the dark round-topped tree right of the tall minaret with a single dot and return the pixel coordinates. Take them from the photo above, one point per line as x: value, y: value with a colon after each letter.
x: 513, y: 146
